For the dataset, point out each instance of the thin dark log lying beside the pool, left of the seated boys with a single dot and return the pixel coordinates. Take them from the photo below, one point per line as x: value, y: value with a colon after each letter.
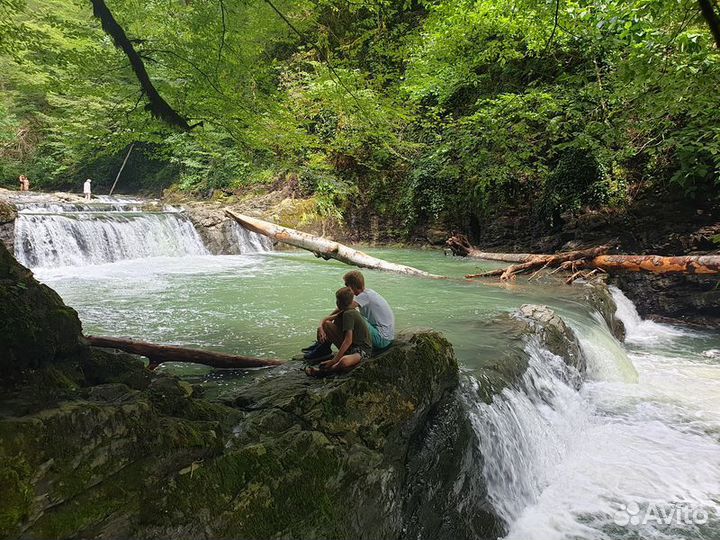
x: 157, y: 354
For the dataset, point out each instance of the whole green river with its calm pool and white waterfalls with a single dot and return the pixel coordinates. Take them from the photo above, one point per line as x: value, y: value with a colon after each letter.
x: 634, y: 453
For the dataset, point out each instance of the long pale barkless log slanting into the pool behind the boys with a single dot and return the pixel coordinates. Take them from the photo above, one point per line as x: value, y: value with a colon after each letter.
x: 324, y: 248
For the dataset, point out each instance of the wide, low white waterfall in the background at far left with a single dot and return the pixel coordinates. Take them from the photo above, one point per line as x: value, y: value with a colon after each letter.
x: 52, y: 234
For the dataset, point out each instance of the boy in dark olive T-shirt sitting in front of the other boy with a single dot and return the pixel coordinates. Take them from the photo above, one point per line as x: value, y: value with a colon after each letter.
x: 356, y: 344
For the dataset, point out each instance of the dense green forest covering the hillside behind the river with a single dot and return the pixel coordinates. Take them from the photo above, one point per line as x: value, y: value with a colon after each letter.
x: 425, y: 111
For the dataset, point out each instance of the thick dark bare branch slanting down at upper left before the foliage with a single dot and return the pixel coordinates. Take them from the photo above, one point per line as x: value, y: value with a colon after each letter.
x: 157, y: 106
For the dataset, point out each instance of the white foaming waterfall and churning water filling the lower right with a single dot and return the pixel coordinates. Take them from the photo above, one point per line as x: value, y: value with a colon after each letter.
x: 561, y: 463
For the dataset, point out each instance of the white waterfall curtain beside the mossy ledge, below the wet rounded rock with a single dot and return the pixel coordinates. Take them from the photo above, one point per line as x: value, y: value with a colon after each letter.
x: 523, y: 434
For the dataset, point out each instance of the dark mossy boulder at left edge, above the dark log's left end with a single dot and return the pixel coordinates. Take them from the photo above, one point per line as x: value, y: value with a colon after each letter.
x: 36, y: 327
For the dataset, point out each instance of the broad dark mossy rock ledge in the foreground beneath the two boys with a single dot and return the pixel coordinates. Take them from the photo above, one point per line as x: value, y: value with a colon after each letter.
x: 287, y: 457
